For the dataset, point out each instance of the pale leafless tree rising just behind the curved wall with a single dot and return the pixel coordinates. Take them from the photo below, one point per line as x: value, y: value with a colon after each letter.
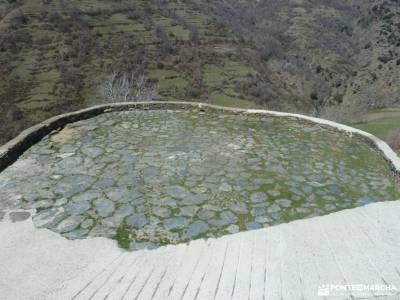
x: 124, y: 87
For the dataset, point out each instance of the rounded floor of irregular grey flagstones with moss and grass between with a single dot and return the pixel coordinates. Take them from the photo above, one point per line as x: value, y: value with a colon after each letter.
x: 149, y: 178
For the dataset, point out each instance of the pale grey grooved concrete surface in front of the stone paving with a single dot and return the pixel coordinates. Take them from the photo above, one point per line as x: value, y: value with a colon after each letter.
x: 284, y: 262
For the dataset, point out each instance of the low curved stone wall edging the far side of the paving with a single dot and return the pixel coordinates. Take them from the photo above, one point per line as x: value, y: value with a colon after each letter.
x: 12, y: 150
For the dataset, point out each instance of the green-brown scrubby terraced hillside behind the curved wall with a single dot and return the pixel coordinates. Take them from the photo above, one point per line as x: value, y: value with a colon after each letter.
x: 292, y: 55
